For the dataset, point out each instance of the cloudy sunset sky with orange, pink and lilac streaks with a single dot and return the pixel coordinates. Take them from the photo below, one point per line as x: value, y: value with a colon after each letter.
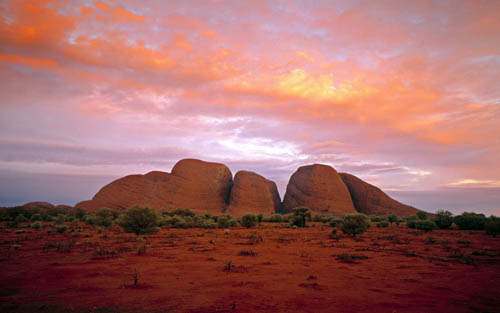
x: 403, y: 94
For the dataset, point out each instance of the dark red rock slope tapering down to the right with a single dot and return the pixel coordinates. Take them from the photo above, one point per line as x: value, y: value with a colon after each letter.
x: 369, y: 199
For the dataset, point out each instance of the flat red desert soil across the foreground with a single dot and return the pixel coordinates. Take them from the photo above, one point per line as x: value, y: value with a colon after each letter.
x: 293, y: 270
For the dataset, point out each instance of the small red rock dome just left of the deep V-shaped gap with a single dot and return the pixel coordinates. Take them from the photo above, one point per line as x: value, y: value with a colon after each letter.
x: 252, y: 193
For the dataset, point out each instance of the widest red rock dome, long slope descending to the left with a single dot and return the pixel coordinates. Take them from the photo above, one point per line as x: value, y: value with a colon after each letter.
x: 195, y: 184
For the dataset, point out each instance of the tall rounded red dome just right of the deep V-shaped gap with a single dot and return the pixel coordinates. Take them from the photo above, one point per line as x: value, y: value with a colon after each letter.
x: 320, y: 188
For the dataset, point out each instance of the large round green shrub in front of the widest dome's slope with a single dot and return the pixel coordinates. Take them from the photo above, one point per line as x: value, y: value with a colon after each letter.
x: 139, y: 220
